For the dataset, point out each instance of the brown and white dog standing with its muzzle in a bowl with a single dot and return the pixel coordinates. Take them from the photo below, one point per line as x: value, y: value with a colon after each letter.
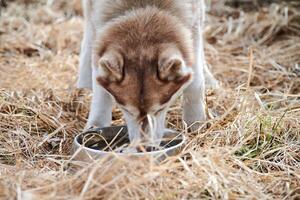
x: 143, y: 54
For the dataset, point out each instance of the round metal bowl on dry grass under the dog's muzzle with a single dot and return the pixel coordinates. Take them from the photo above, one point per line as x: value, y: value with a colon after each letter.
x: 97, y: 143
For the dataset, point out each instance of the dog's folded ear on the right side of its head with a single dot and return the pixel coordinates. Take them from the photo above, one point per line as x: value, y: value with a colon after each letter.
x: 171, y: 66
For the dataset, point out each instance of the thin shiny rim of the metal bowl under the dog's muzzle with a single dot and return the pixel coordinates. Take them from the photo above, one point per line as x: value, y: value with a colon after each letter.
x: 151, y: 153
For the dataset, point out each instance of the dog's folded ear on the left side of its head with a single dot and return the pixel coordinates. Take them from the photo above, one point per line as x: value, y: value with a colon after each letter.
x: 111, y: 66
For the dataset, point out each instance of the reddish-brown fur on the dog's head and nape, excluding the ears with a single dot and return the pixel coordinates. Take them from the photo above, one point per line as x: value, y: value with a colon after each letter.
x: 140, y: 37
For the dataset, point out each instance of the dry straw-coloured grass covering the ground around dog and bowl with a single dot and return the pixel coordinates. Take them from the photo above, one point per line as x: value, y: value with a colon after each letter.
x: 249, y: 149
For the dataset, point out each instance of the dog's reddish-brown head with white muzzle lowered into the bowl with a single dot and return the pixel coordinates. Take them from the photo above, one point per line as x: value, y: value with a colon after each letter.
x: 144, y: 70
